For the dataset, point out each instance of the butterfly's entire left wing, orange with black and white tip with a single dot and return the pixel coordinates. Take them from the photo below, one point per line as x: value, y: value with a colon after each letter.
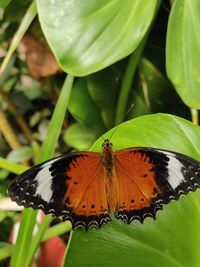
x: 71, y: 186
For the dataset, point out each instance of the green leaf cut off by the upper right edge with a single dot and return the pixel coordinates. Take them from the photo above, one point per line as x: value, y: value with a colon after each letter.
x: 183, y: 50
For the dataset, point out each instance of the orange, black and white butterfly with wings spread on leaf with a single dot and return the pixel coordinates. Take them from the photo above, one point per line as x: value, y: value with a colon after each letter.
x: 85, y: 187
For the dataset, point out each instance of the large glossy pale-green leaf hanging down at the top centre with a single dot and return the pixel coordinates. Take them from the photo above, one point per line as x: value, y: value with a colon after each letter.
x: 88, y: 36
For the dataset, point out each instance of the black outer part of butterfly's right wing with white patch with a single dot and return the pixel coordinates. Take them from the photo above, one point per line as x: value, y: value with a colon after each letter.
x: 176, y: 174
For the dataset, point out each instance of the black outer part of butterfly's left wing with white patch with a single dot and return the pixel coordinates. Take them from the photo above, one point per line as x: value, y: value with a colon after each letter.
x: 43, y: 186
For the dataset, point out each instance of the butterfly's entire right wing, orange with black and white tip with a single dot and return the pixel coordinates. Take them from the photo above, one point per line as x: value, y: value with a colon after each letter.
x: 149, y: 178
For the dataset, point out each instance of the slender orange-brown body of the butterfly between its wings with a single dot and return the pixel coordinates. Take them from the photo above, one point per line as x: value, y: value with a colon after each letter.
x: 108, y: 163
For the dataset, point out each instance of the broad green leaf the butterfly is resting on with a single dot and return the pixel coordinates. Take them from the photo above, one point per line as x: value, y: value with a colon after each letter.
x: 173, y: 239
